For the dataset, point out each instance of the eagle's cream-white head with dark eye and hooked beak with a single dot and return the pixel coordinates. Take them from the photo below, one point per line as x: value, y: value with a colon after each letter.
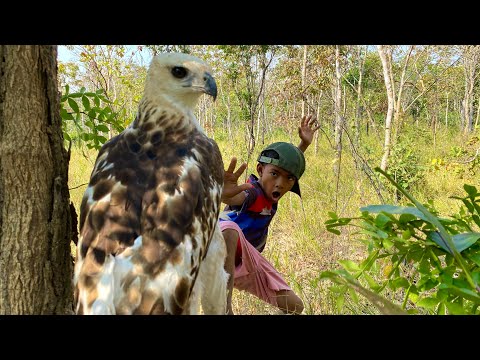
x: 180, y: 77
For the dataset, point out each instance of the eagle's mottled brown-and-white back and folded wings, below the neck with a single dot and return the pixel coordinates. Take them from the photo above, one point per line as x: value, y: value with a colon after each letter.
x: 146, y: 222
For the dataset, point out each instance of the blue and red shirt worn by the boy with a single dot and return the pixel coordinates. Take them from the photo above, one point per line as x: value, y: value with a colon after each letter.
x: 254, y: 215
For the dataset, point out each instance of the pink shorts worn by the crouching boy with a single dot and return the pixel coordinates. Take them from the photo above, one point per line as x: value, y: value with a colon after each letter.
x: 255, y: 274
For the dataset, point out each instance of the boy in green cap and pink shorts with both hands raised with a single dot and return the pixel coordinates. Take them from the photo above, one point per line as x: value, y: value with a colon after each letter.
x: 246, y: 218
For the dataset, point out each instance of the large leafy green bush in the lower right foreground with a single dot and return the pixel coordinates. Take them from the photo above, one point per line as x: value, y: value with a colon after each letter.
x: 420, y: 261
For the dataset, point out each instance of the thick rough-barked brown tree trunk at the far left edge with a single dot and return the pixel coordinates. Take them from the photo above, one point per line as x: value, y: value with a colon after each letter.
x: 35, y: 222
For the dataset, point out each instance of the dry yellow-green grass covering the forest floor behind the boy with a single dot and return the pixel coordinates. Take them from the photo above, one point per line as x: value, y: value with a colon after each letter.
x: 298, y: 245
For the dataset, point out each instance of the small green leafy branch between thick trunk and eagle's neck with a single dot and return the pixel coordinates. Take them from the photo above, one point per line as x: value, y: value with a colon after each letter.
x: 88, y: 117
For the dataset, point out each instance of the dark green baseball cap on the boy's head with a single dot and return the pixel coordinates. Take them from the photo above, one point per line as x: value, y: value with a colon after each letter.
x: 290, y: 158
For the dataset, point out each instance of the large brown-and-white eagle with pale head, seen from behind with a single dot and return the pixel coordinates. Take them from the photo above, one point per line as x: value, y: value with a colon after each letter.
x: 149, y: 239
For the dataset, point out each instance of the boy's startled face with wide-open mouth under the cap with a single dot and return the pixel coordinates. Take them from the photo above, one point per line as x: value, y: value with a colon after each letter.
x: 275, y: 181
